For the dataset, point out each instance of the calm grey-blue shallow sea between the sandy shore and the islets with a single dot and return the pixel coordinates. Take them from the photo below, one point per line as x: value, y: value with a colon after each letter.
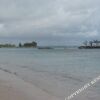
x: 59, y: 72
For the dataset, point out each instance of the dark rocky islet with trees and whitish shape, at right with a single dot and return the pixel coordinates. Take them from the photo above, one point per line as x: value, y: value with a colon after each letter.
x: 95, y: 44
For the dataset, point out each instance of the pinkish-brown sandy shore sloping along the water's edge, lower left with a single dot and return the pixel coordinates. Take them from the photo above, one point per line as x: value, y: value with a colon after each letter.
x: 14, y: 88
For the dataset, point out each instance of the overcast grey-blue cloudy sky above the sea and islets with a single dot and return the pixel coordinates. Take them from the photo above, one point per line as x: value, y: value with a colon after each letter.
x: 49, y: 22
